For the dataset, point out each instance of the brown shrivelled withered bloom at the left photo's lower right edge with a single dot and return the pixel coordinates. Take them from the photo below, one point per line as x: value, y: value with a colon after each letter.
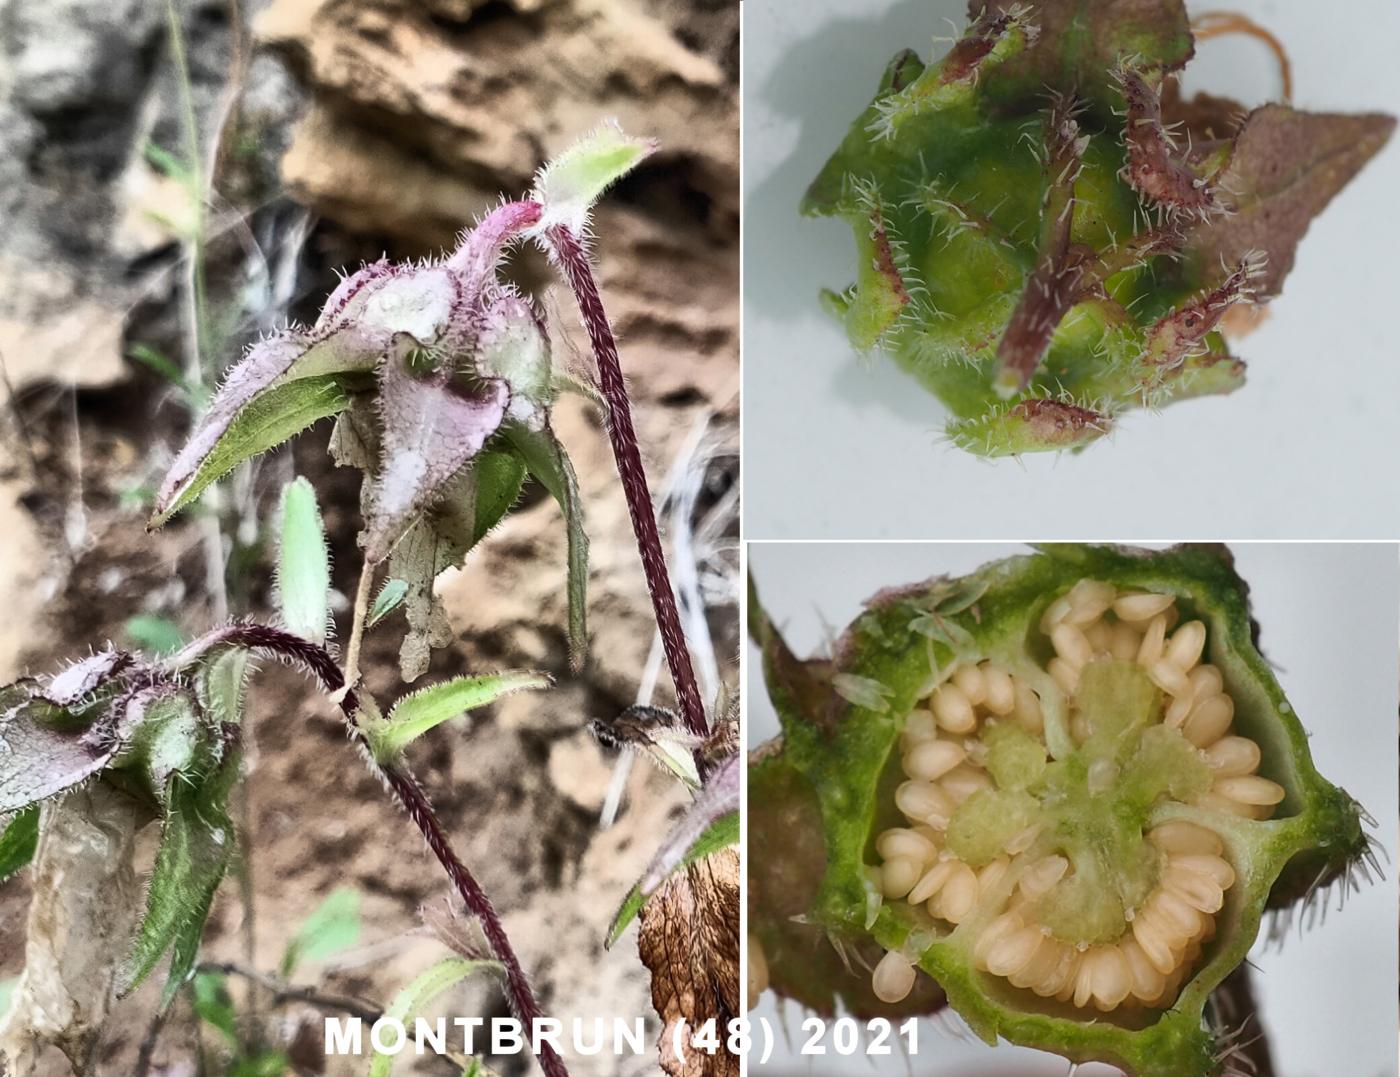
x: 691, y: 943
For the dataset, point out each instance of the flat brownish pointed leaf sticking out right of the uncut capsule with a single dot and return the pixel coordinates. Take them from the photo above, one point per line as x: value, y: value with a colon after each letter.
x: 1283, y: 172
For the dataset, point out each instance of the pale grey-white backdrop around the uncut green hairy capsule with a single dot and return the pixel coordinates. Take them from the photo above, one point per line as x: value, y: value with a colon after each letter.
x: 842, y: 449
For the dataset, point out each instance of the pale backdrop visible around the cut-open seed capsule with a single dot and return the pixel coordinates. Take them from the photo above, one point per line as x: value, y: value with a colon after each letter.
x: 1329, y: 625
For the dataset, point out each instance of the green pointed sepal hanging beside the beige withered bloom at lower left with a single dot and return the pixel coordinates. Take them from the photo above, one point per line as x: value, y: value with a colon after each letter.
x: 197, y: 845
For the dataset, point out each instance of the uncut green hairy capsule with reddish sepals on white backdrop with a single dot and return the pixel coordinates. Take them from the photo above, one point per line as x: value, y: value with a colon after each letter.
x: 1048, y: 237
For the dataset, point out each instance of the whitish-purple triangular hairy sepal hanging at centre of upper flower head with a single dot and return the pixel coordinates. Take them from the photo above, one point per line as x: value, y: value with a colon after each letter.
x: 432, y: 426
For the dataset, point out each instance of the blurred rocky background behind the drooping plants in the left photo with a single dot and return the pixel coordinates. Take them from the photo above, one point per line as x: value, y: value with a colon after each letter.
x: 178, y: 177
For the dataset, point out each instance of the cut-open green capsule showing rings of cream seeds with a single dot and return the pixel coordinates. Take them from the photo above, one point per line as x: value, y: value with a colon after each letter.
x: 1067, y: 806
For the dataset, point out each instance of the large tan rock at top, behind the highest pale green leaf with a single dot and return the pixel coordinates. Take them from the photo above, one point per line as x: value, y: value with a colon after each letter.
x: 440, y: 104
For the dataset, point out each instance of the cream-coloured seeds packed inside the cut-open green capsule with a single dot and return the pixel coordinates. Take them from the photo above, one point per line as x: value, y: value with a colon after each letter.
x: 1017, y: 890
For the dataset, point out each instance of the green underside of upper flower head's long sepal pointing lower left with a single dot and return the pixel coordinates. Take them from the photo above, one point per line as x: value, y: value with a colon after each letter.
x: 272, y: 418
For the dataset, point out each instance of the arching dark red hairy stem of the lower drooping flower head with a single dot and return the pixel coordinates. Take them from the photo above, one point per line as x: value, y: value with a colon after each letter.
x: 411, y: 796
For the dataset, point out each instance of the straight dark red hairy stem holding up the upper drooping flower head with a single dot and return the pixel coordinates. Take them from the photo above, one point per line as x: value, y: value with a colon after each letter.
x: 573, y: 260
